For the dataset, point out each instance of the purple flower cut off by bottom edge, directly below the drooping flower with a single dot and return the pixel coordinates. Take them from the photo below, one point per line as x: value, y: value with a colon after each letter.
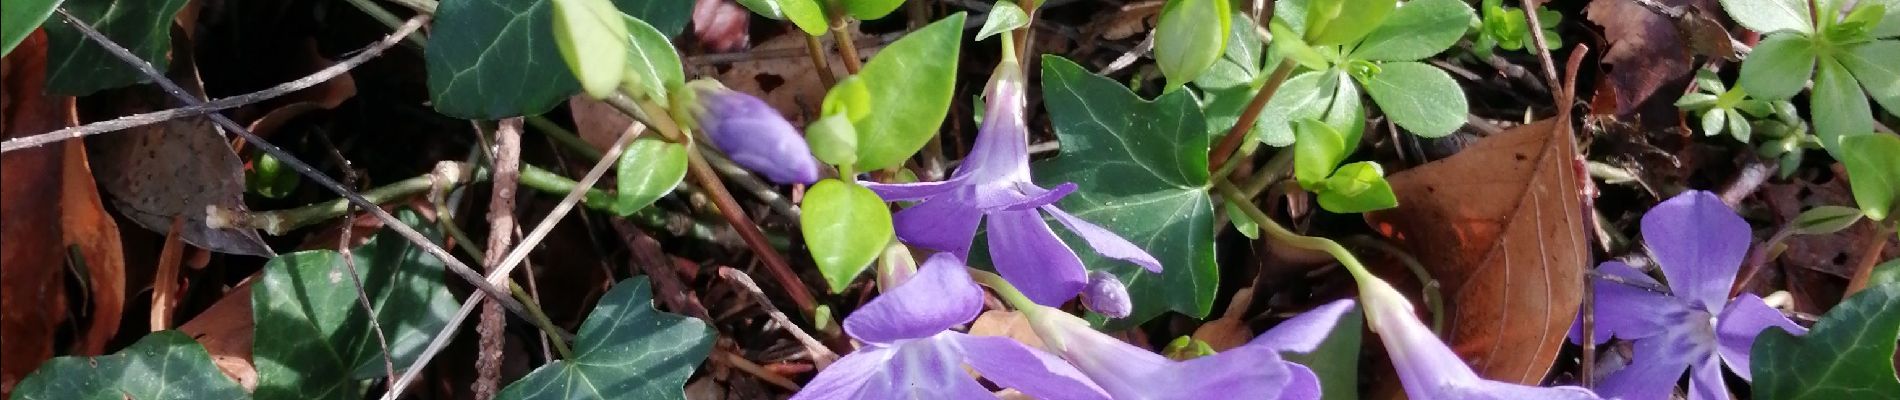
x: 913, y: 354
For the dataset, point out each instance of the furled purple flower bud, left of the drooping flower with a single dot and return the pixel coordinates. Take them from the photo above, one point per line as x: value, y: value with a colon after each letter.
x: 755, y: 136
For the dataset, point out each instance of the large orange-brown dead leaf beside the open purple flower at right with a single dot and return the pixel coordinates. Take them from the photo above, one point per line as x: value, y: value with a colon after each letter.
x: 1502, y: 228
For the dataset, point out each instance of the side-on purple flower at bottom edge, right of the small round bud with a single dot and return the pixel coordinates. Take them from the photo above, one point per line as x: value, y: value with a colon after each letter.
x: 1124, y: 371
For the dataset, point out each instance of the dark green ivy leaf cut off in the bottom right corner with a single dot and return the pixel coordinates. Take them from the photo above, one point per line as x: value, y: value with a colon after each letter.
x: 1846, y: 355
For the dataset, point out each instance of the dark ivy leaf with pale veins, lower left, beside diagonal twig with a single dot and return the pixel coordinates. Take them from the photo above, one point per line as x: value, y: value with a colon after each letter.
x: 318, y: 342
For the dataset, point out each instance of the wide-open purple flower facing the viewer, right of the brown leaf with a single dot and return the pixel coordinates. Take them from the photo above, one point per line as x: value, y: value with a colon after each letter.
x: 1700, y: 245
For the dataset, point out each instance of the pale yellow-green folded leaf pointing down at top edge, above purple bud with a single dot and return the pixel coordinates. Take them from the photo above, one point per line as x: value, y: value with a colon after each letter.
x: 594, y: 43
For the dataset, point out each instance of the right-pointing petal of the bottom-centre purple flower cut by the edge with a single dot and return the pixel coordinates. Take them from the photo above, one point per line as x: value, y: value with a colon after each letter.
x: 1014, y: 365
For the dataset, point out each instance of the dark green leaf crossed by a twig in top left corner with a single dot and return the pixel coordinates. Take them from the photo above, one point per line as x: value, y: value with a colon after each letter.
x: 77, y: 65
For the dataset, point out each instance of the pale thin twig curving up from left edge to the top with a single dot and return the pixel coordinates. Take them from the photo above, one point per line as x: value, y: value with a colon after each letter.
x: 149, y: 118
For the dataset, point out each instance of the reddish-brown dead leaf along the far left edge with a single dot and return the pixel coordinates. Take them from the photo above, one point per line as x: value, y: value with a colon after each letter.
x: 33, y: 297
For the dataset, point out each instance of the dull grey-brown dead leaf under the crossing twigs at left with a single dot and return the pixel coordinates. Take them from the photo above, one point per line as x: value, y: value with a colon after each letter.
x: 178, y: 168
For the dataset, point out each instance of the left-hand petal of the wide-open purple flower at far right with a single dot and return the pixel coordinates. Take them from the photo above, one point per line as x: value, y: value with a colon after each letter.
x: 1629, y: 312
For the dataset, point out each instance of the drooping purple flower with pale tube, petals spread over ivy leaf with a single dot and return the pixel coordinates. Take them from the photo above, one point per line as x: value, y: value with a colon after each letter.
x: 995, y: 181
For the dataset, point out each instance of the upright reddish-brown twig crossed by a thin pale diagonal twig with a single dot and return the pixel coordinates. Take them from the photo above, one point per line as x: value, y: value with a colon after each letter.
x: 501, y: 234
